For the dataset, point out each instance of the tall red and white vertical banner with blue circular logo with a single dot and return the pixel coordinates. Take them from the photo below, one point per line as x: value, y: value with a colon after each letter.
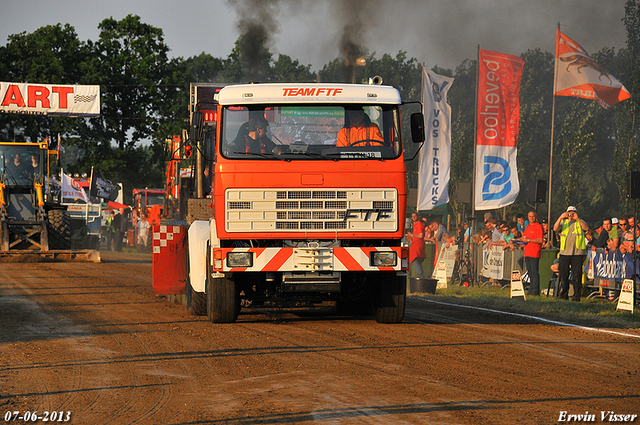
x: 497, y: 117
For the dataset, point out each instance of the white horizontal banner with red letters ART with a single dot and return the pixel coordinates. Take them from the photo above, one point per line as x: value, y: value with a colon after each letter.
x: 49, y: 99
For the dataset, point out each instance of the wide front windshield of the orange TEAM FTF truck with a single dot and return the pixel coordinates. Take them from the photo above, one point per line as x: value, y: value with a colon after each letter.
x: 311, y: 132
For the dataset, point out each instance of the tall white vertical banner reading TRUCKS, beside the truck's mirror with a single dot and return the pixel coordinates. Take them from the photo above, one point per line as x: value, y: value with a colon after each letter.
x: 435, y: 157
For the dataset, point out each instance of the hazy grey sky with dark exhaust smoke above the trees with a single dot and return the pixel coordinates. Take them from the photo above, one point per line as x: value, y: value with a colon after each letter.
x: 436, y: 32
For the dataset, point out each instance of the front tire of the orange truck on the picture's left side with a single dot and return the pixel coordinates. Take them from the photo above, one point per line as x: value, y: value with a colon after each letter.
x: 223, y: 300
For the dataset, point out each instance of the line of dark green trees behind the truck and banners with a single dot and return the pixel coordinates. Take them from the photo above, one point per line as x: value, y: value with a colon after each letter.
x: 145, y: 97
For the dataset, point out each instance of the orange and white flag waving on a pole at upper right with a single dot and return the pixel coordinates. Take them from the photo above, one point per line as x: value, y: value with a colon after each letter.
x: 580, y: 76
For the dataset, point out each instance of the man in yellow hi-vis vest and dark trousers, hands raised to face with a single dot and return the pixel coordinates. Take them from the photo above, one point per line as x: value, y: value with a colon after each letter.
x: 573, y: 251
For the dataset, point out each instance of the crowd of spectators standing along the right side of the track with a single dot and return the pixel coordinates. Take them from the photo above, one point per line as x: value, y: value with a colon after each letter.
x: 570, y: 234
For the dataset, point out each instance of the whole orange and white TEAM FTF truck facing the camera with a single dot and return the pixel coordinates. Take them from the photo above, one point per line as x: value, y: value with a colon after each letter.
x: 301, y: 220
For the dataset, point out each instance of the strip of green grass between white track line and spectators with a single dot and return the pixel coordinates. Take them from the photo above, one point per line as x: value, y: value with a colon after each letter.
x: 596, y: 312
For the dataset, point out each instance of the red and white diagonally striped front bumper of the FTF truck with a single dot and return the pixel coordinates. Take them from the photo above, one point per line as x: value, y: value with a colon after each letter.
x: 338, y: 259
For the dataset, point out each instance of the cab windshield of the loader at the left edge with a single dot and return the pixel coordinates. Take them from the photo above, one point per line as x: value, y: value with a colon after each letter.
x: 20, y: 165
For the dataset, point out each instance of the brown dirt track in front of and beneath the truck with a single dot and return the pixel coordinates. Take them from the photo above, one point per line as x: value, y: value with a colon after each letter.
x: 92, y: 339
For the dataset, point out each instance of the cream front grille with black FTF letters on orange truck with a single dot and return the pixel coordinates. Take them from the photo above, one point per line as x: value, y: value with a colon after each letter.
x: 278, y: 210
